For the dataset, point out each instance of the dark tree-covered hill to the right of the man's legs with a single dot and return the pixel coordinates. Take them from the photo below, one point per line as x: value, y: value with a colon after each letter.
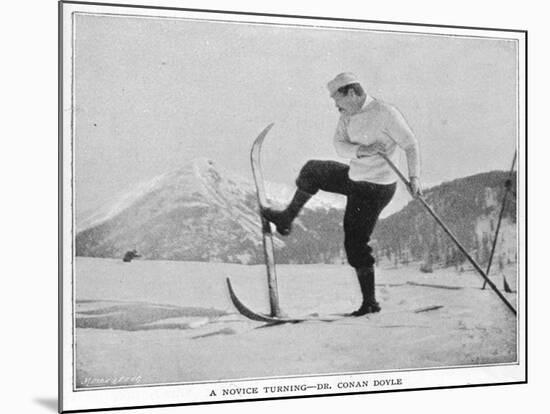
x: 469, y: 206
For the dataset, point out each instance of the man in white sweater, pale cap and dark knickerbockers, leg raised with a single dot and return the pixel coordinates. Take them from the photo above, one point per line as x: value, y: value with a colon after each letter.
x: 366, y: 127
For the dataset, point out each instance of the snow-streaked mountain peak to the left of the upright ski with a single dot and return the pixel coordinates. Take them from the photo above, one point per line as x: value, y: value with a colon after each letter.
x: 197, y: 212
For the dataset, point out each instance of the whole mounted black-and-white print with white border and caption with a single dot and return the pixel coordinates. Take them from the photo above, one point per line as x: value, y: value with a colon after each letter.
x: 265, y: 206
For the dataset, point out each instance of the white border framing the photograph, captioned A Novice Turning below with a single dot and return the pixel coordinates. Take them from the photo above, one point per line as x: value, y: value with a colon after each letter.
x: 193, y: 393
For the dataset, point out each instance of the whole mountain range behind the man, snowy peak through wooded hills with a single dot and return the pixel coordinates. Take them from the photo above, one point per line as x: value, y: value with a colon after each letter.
x: 203, y: 213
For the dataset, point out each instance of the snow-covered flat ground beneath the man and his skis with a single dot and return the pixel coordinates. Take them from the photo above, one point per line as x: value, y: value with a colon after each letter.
x: 167, y: 321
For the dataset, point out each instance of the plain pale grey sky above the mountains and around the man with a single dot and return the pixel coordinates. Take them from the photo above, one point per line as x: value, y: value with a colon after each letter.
x: 153, y: 94
